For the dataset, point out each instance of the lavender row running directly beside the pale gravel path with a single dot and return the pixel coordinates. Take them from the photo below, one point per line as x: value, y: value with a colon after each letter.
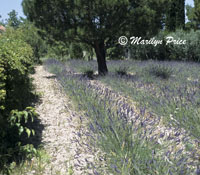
x: 123, y: 132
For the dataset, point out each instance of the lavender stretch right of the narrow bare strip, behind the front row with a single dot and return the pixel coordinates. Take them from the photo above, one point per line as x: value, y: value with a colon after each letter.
x: 177, y: 97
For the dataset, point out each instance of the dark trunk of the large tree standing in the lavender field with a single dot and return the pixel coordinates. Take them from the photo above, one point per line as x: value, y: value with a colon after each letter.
x: 101, y: 57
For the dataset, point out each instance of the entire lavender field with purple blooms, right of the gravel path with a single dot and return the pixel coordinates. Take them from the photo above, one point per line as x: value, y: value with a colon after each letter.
x: 144, y: 116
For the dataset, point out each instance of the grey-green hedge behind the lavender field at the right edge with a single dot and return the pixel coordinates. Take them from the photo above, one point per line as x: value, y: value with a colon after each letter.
x: 187, y: 52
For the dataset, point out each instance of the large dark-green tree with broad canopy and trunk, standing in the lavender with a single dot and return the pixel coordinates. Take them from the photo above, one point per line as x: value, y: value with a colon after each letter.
x: 95, y: 22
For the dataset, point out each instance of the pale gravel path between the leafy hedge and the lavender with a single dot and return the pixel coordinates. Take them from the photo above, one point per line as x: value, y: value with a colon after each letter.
x: 62, y: 127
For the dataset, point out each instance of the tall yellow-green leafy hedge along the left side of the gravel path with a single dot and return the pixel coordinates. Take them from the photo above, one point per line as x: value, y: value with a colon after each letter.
x: 15, y: 100
